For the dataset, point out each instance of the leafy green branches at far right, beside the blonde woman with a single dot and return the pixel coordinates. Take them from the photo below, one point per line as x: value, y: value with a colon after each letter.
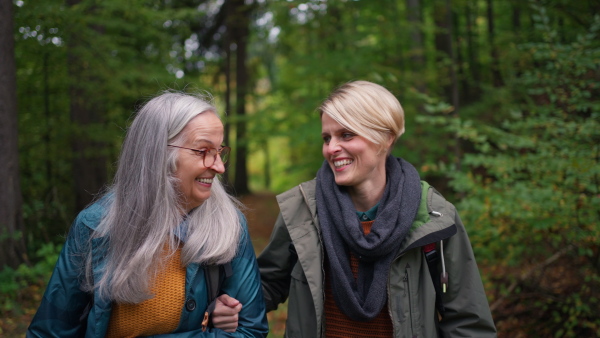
x: 540, y: 165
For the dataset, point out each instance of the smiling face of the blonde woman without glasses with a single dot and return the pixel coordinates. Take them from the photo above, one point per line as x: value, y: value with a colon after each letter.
x: 355, y: 161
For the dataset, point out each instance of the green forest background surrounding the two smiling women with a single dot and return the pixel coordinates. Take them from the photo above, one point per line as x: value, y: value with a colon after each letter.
x: 501, y: 102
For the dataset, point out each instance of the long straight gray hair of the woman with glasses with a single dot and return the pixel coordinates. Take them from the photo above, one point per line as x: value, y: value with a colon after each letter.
x: 145, y: 213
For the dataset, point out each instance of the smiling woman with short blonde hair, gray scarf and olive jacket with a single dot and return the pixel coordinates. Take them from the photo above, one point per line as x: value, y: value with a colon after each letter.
x: 367, y: 249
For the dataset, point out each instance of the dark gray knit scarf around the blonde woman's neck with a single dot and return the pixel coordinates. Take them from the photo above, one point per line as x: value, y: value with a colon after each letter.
x: 363, y: 298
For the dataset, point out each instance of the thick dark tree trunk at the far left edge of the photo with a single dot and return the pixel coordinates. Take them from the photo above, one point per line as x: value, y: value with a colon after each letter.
x: 12, y: 243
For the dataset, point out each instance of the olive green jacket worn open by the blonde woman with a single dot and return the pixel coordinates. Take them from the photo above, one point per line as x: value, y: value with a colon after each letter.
x: 292, y: 265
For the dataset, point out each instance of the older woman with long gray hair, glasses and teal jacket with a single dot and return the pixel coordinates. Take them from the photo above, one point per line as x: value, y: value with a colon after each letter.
x: 135, y: 262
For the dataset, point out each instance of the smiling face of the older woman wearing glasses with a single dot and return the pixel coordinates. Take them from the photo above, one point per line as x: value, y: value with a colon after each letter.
x: 203, y: 132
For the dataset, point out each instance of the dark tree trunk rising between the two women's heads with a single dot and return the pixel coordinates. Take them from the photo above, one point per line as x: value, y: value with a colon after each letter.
x: 240, y: 33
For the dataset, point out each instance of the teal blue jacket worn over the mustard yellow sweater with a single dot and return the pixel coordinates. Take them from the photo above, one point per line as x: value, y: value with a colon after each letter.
x: 67, y: 311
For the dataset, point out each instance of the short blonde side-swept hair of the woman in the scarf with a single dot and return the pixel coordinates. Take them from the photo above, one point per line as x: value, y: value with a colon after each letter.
x: 367, y: 109
